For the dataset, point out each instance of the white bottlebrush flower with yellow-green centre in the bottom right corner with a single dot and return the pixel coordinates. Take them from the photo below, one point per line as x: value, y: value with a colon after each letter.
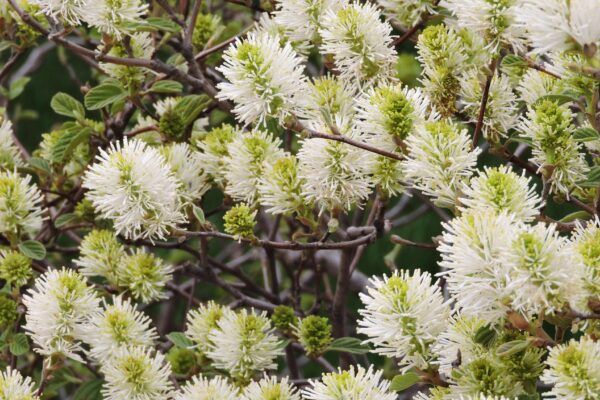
x: 574, y: 370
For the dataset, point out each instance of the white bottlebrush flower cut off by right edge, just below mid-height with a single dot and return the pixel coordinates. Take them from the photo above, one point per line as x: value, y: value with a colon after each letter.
x: 585, y: 245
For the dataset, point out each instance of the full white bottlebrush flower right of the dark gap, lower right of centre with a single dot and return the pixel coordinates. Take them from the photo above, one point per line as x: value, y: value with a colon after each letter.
x: 403, y: 316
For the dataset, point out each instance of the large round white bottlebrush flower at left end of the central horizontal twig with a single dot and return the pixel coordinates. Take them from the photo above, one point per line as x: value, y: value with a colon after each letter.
x: 132, y: 185
